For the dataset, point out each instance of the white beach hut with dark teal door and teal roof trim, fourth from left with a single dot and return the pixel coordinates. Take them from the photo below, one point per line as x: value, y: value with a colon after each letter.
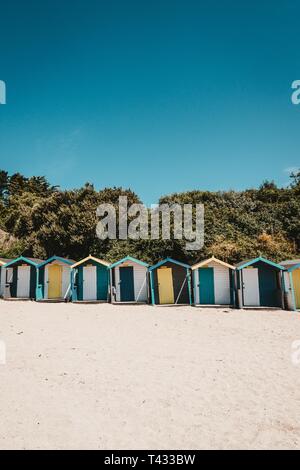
x: 129, y: 281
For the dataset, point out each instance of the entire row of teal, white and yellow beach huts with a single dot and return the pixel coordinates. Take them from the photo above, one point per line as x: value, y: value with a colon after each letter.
x: 256, y: 283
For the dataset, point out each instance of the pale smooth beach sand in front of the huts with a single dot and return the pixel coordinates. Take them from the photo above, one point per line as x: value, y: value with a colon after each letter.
x: 141, y: 377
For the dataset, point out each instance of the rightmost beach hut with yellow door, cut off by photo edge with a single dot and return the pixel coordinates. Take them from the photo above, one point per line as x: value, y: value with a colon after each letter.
x: 292, y: 283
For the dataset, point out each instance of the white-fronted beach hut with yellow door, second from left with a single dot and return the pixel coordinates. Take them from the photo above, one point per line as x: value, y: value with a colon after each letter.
x: 54, y: 279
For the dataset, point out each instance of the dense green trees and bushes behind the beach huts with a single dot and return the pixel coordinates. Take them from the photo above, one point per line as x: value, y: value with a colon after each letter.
x: 40, y: 220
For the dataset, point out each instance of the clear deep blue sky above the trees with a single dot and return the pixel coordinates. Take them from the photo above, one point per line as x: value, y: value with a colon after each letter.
x: 159, y: 96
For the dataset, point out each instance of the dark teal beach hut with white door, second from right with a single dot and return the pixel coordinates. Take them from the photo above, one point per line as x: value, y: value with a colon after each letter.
x: 259, y: 284
